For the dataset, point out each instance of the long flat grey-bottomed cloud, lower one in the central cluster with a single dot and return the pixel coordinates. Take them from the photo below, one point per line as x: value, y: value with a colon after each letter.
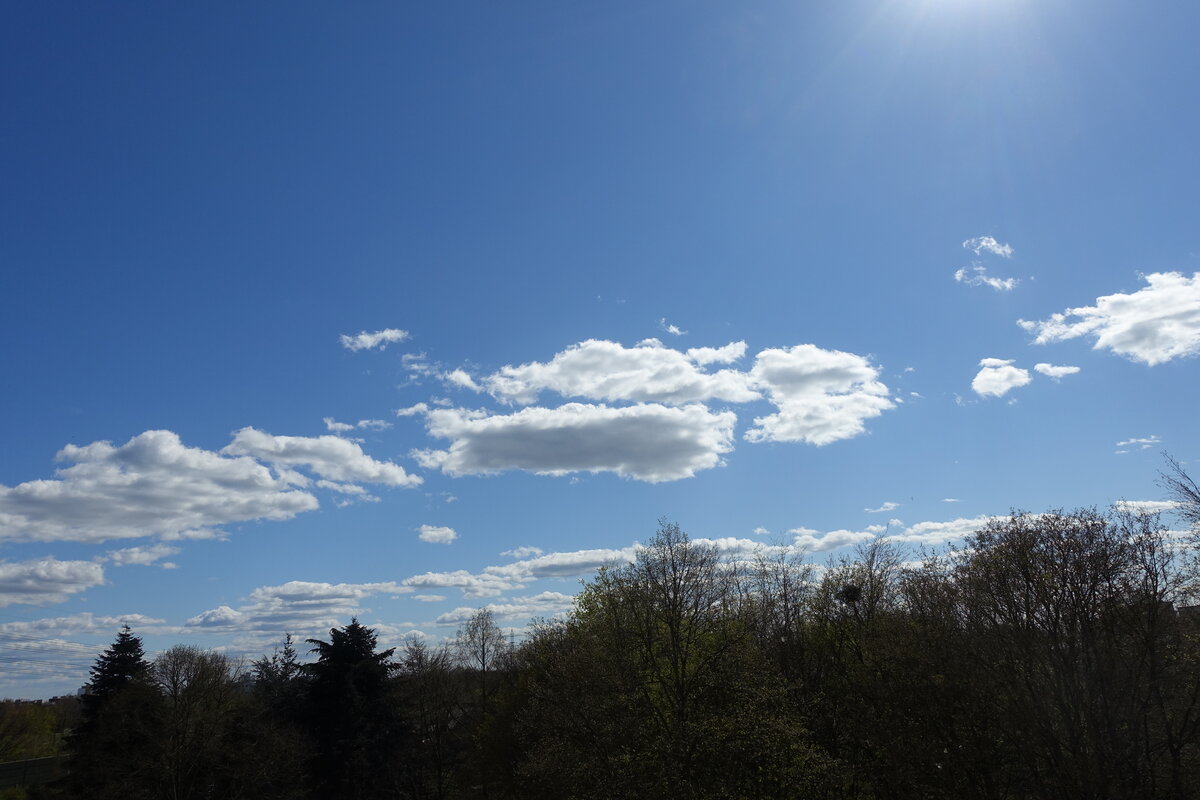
x: 646, y: 442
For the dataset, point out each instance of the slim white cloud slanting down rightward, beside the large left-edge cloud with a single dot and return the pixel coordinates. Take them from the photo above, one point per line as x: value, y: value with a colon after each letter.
x: 332, y: 458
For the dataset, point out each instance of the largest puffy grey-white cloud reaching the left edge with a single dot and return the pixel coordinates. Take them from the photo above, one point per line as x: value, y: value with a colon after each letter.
x: 153, y: 485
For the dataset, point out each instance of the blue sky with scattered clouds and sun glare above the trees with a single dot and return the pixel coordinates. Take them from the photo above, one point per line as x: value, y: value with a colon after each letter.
x: 401, y: 311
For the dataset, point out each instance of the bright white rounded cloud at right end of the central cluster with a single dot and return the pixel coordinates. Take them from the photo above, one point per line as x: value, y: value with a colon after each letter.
x: 823, y: 396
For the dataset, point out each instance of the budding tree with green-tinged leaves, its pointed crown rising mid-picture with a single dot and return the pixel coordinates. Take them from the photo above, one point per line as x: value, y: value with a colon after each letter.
x: 653, y: 688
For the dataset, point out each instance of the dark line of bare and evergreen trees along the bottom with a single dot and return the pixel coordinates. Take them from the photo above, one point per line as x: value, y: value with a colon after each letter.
x: 1052, y: 655
